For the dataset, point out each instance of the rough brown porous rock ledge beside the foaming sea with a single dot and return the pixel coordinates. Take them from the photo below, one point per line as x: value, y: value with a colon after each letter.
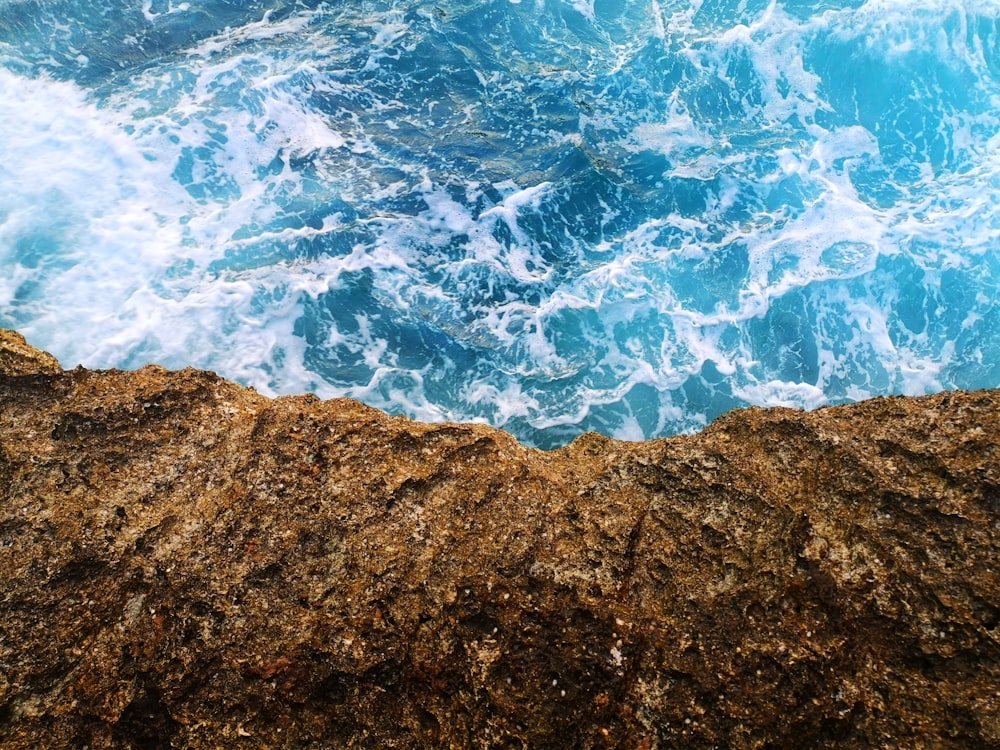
x: 185, y: 563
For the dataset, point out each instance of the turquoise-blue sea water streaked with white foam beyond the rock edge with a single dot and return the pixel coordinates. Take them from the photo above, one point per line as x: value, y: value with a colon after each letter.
x: 552, y: 216
